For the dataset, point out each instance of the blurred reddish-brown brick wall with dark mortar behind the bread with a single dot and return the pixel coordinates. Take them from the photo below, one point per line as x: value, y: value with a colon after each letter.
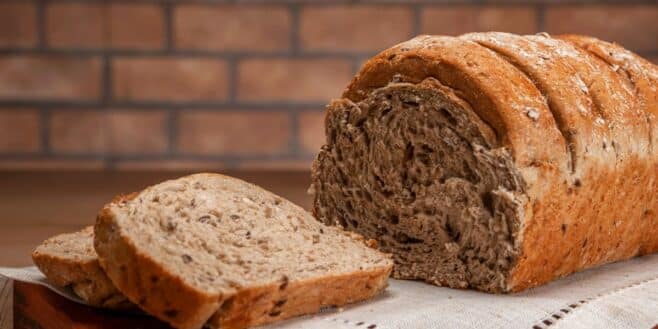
x: 211, y: 84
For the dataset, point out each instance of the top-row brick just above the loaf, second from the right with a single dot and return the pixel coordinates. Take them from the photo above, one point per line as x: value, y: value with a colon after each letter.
x: 456, y: 20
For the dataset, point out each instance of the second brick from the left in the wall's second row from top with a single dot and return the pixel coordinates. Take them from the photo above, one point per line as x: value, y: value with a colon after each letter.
x: 170, y: 79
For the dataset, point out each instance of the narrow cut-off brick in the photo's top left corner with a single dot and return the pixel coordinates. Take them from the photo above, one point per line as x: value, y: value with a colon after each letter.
x: 18, y: 24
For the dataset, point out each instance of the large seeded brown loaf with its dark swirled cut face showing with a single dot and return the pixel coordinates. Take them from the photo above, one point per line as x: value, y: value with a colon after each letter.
x: 495, y: 161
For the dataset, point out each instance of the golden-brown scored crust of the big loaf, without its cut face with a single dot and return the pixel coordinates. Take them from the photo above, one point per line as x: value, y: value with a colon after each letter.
x: 576, y: 216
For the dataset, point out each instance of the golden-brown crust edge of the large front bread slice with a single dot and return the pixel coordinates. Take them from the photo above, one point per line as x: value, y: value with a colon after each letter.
x: 169, y: 297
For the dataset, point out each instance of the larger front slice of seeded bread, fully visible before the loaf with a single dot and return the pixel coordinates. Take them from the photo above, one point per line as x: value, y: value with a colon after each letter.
x: 207, y: 244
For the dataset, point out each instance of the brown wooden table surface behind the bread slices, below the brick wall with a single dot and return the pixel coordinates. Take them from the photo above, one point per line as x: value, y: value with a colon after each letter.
x: 37, y: 205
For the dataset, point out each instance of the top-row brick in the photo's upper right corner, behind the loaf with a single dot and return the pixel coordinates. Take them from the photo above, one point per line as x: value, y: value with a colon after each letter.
x: 633, y: 26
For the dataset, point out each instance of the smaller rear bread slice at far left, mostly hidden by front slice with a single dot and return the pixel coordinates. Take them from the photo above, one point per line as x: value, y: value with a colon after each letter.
x: 70, y: 260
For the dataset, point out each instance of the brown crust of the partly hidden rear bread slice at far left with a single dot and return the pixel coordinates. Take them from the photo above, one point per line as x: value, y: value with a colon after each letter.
x: 83, y: 275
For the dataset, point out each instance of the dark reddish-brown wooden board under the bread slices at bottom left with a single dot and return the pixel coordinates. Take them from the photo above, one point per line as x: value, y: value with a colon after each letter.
x: 37, y: 307
